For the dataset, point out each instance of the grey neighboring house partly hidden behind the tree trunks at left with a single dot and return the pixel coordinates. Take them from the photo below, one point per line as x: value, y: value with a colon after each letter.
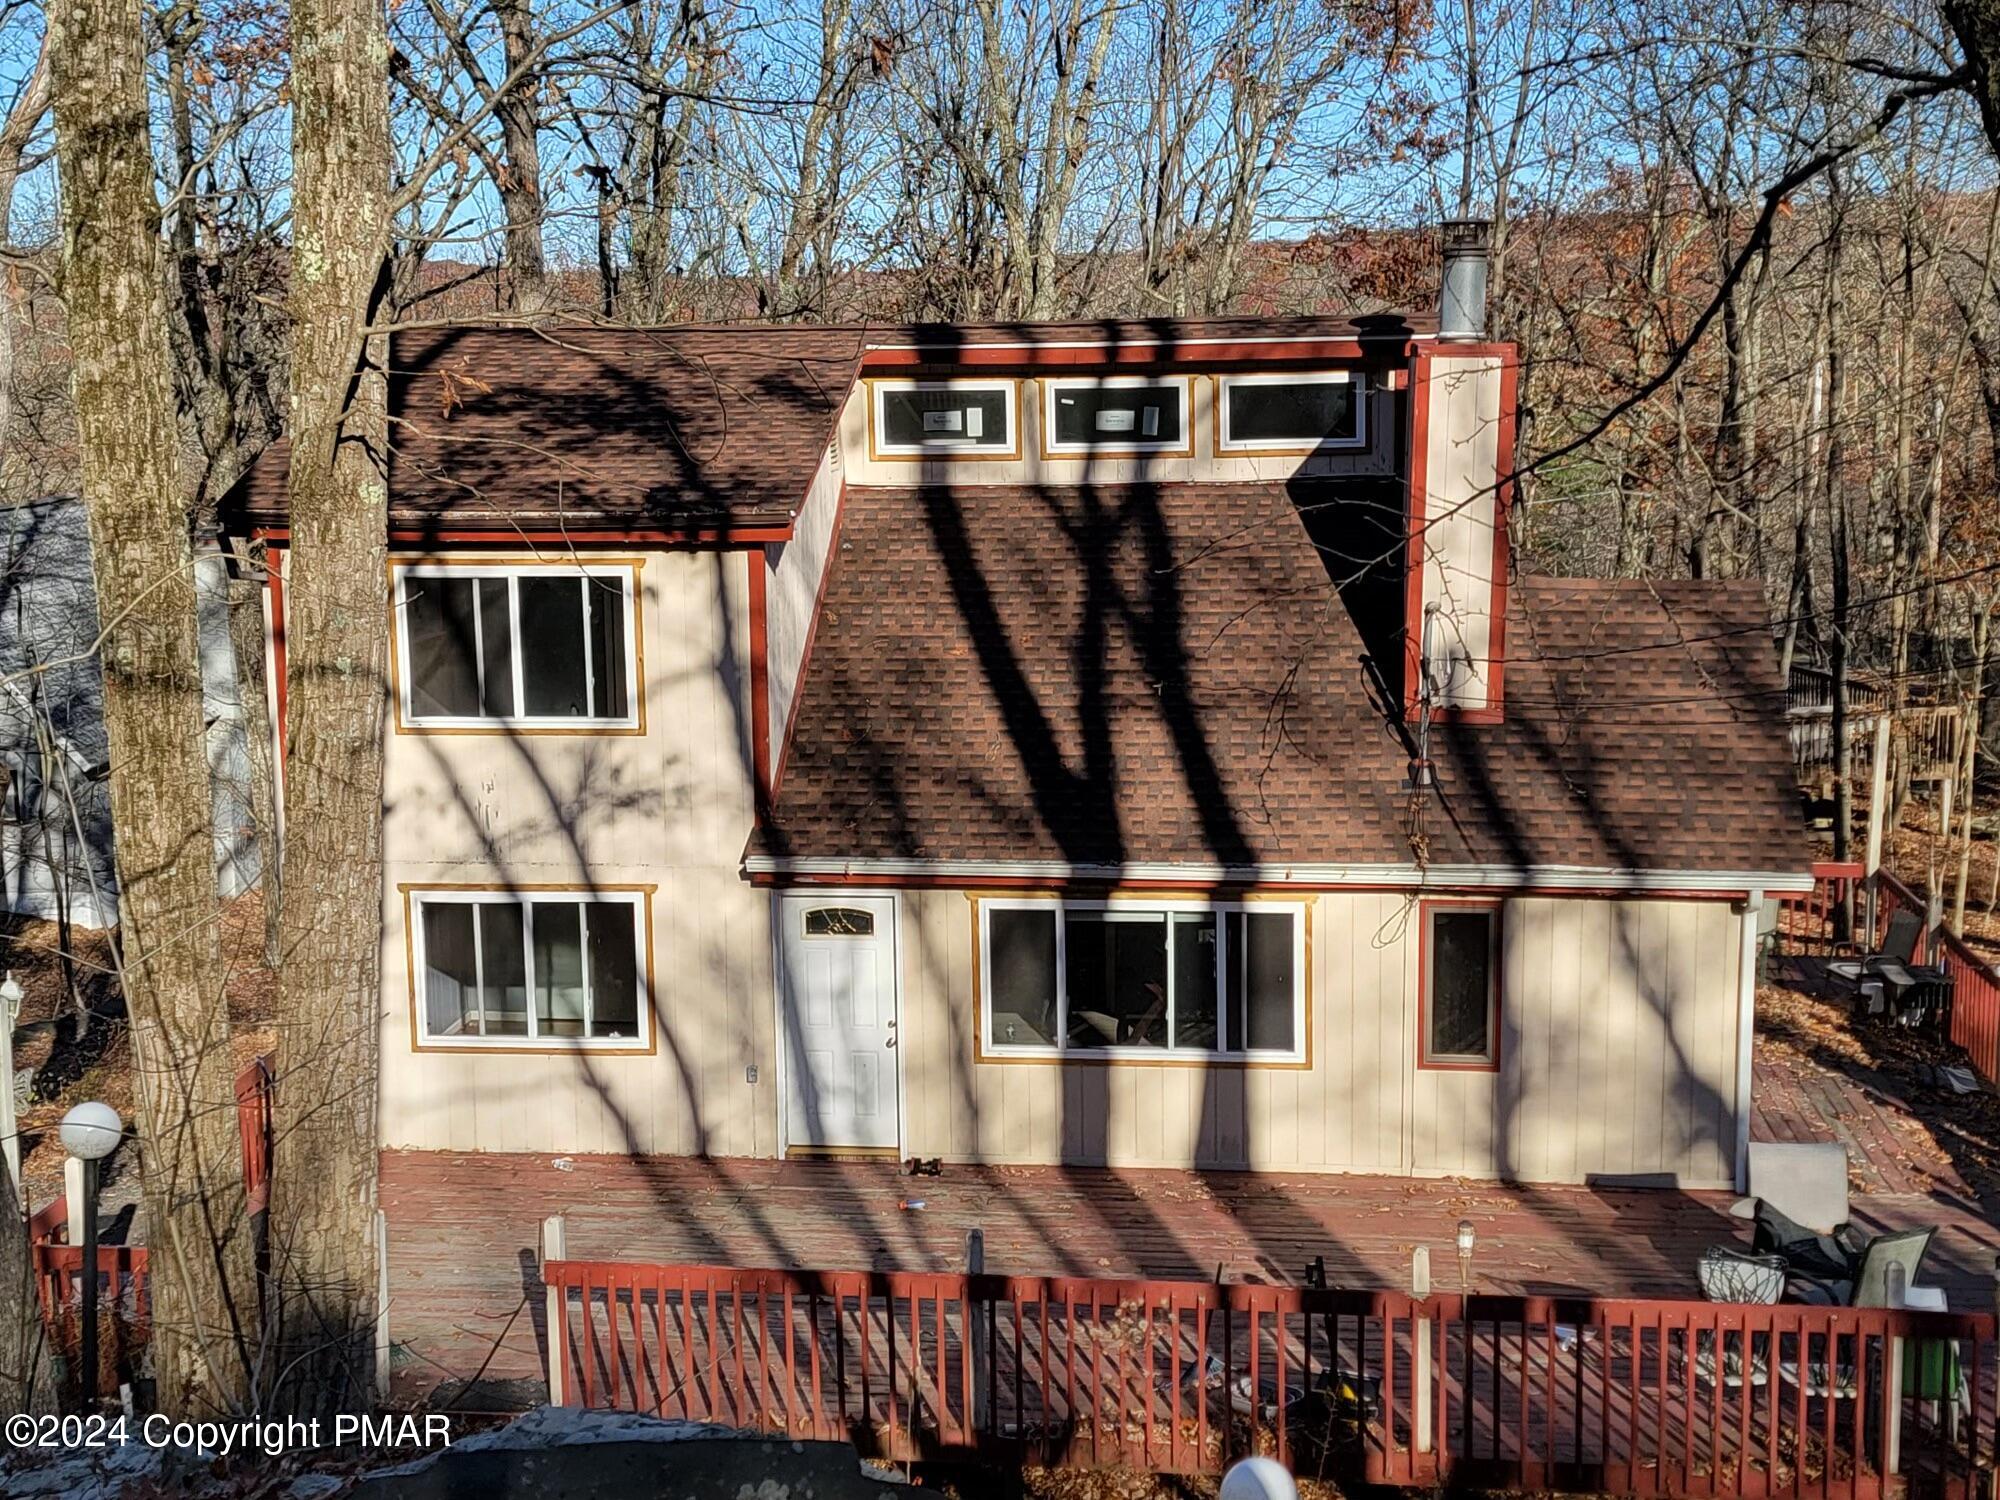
x: 57, y: 837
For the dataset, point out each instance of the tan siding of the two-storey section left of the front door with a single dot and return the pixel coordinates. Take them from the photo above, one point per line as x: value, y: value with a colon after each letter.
x: 669, y: 809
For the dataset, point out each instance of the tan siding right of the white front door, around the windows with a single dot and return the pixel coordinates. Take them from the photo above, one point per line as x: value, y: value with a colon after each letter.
x: 1619, y: 1057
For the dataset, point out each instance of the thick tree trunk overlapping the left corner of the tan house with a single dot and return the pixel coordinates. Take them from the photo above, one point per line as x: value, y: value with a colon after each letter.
x: 337, y: 643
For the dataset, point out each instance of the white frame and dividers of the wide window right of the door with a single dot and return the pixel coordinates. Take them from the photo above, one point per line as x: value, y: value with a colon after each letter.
x: 1003, y: 1051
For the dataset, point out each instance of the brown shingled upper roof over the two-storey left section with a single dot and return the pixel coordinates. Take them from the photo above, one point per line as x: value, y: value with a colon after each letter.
x: 599, y: 427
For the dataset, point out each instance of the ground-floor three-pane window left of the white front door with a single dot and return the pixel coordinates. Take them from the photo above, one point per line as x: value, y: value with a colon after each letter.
x: 531, y: 969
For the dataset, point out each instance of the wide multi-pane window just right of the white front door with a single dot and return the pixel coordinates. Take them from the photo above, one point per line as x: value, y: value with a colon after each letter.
x: 1143, y: 979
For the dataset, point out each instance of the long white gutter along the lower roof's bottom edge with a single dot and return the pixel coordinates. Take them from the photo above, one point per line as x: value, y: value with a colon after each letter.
x: 1439, y: 877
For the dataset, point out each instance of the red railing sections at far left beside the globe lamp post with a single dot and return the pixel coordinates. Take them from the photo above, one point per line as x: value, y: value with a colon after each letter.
x: 125, y: 1303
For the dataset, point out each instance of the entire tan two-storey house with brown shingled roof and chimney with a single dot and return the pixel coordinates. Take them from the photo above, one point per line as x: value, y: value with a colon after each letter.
x: 999, y: 743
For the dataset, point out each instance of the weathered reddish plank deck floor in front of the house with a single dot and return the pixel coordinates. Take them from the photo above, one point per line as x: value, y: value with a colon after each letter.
x: 467, y: 1295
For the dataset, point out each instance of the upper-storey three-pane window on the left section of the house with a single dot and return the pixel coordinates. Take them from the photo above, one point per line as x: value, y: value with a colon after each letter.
x: 495, y: 647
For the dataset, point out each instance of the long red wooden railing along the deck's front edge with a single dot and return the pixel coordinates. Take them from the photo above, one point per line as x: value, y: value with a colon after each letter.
x: 1671, y: 1399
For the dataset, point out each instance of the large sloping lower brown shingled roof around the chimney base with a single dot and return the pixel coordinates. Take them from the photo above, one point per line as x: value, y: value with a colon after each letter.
x: 1137, y: 675
